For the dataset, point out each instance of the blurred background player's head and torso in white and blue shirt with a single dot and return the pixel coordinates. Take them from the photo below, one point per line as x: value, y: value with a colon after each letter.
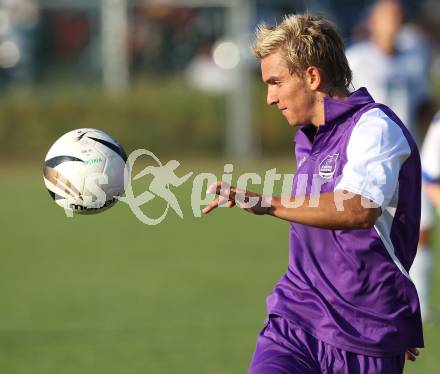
x: 400, y: 56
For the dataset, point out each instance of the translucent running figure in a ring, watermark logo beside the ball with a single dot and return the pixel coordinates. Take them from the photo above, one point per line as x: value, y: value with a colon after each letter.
x: 164, y: 176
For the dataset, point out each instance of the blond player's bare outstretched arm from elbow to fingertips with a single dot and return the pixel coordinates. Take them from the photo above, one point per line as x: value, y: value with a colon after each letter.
x: 331, y: 210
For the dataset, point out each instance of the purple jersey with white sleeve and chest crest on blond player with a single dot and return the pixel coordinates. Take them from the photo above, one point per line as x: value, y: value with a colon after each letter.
x: 351, y: 288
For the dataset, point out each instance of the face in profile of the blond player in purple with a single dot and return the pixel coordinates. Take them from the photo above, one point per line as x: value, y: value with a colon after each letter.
x: 290, y: 93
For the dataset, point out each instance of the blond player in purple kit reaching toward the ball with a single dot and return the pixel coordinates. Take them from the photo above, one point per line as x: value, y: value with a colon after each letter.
x: 346, y: 303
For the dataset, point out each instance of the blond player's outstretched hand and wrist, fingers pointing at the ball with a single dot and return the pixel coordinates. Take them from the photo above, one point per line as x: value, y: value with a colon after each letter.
x: 231, y: 196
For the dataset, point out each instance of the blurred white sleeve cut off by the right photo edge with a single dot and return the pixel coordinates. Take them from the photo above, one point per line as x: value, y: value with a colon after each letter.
x: 430, y: 154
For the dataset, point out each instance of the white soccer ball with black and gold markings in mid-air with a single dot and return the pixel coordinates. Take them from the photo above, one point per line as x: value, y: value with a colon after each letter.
x: 84, y: 171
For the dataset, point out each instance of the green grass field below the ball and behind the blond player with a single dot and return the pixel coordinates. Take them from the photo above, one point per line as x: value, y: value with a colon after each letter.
x: 107, y: 294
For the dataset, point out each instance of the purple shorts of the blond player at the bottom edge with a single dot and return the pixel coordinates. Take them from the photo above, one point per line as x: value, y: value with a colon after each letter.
x: 283, y: 348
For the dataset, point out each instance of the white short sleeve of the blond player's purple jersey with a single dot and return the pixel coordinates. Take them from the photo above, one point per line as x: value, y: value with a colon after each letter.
x: 375, y: 153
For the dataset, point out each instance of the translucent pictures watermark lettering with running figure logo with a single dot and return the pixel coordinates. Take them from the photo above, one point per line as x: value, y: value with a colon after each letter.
x: 165, y: 179
